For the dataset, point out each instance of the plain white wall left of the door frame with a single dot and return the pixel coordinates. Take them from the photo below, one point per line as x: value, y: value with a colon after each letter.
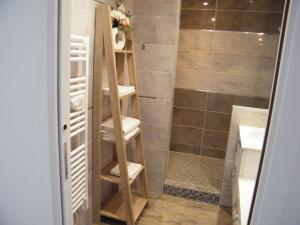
x: 28, y: 135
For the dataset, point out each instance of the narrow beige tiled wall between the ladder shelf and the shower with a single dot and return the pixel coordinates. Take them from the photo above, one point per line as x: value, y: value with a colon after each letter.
x: 156, y: 25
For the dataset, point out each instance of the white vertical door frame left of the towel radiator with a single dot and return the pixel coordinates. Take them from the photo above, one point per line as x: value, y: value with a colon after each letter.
x: 63, y: 103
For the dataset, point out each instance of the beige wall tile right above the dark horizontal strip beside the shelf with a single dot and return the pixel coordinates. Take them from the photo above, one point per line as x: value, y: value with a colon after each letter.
x: 156, y: 84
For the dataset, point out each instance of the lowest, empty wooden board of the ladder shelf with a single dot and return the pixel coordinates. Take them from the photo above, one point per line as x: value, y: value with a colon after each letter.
x: 115, y: 208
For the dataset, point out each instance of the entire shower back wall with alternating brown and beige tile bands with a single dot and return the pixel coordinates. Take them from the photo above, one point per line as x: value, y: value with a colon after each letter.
x: 227, y: 53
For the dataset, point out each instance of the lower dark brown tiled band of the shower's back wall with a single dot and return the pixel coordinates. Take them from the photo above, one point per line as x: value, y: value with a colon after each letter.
x: 201, y: 120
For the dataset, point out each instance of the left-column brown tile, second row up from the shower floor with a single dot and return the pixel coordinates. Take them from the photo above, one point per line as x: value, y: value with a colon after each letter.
x: 186, y: 135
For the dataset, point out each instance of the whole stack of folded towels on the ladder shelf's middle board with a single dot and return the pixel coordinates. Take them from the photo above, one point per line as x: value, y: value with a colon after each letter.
x: 130, y: 128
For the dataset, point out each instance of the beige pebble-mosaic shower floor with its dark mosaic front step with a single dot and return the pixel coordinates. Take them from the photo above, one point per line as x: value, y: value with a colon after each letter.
x: 194, y: 177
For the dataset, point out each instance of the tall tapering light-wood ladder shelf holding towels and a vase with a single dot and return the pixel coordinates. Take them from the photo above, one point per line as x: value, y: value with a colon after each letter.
x: 123, y: 204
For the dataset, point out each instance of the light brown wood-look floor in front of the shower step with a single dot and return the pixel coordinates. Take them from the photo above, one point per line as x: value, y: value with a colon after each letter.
x: 169, y: 210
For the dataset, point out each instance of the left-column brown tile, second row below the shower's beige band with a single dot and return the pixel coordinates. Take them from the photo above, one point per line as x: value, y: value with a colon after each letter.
x: 188, y: 117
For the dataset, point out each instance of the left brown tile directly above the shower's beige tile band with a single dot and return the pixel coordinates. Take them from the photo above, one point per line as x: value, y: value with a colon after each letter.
x: 197, y: 19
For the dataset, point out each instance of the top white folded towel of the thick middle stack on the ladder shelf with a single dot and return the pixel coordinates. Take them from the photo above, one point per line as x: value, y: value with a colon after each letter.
x: 128, y: 123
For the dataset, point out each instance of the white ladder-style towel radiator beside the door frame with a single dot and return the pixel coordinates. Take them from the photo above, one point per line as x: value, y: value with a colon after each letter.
x: 79, y: 58
